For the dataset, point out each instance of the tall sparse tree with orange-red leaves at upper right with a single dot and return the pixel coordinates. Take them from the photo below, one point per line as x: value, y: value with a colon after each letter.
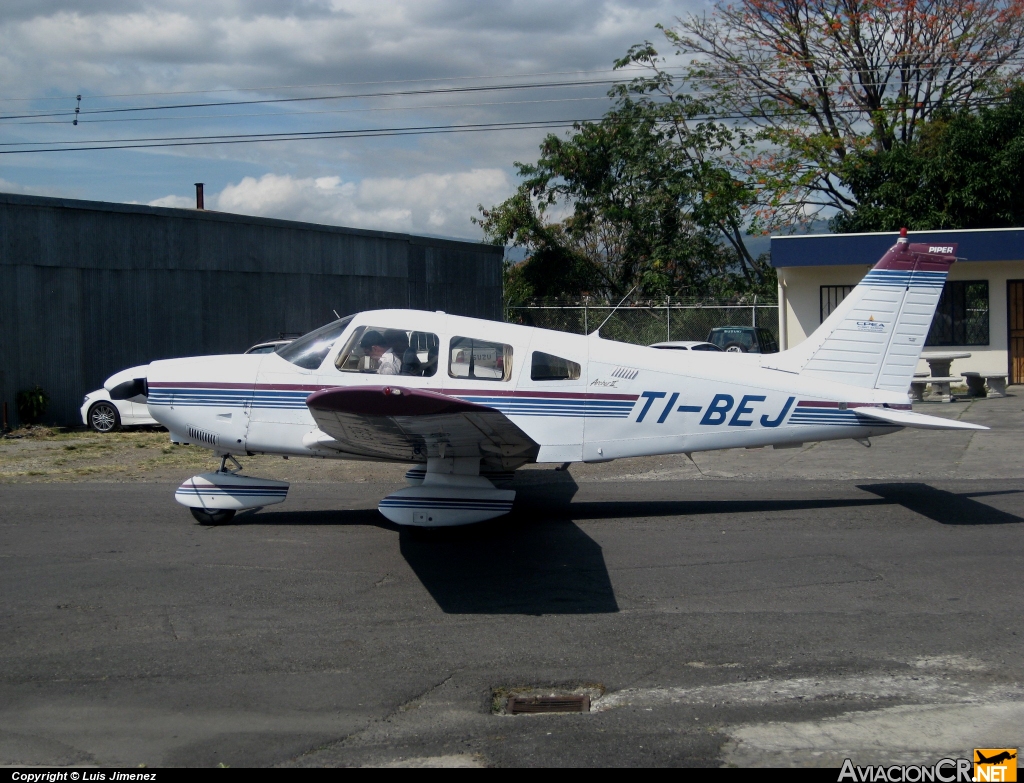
x: 823, y: 79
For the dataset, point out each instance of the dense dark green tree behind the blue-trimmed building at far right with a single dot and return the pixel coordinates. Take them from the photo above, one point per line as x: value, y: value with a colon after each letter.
x: 963, y: 170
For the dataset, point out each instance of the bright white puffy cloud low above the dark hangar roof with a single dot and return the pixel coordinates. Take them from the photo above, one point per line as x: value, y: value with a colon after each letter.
x: 440, y: 204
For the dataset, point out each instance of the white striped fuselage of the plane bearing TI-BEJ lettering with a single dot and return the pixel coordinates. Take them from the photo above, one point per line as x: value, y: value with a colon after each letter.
x: 627, y: 401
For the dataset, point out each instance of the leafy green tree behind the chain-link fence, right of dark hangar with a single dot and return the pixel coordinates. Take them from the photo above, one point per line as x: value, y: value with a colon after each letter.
x: 646, y: 198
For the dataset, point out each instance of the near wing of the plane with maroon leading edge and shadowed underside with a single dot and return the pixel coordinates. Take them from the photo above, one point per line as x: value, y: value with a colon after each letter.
x: 410, y: 425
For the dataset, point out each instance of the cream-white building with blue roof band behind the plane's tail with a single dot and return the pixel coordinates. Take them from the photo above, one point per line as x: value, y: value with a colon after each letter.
x: 983, y: 307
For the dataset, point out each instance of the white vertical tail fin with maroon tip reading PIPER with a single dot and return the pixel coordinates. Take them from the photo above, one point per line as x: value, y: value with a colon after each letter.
x: 875, y: 337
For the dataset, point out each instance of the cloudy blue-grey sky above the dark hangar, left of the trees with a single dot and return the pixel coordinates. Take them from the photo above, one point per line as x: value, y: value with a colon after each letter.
x: 162, y: 60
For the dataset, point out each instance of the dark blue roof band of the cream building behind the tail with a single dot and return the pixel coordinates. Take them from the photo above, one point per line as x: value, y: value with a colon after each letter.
x: 866, y: 249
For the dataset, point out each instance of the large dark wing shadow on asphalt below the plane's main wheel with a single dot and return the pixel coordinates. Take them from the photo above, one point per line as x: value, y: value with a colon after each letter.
x: 530, y: 562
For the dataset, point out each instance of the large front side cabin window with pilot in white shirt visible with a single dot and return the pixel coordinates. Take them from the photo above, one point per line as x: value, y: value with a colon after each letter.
x: 387, y: 352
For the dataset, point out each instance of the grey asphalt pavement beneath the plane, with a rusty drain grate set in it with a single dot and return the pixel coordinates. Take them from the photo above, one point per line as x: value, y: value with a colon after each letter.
x: 866, y: 605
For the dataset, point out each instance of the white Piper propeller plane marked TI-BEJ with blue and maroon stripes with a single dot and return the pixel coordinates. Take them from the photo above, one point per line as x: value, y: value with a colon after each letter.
x: 468, y: 402
